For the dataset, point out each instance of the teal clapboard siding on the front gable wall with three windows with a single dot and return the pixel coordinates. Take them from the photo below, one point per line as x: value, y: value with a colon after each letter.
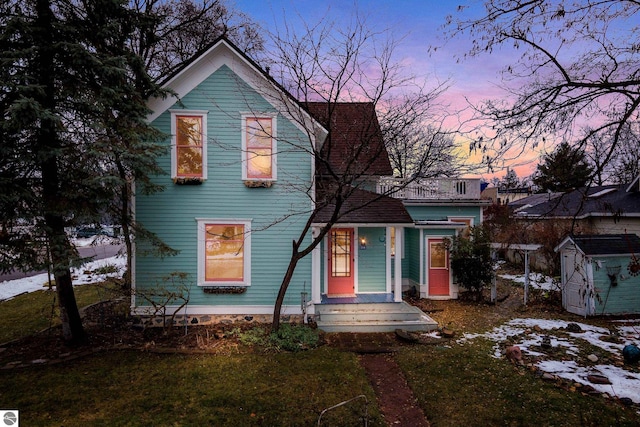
x: 224, y: 196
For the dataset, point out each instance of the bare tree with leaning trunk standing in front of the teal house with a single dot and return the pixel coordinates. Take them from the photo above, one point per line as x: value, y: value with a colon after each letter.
x: 343, y: 74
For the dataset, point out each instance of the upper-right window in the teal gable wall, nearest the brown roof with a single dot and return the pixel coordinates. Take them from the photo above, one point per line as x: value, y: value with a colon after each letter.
x: 259, y: 148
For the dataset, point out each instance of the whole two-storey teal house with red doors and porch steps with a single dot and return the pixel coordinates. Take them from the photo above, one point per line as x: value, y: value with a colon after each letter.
x: 241, y: 183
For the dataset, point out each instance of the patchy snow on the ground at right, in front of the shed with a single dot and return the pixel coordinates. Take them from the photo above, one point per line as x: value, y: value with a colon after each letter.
x: 528, y: 335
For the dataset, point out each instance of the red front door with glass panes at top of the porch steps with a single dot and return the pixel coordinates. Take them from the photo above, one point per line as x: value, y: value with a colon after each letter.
x: 341, y: 262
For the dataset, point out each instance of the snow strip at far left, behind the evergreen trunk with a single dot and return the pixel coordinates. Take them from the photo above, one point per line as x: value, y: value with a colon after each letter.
x: 81, y: 276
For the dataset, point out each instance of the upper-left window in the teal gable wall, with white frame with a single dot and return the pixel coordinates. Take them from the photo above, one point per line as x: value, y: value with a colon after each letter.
x: 188, y: 148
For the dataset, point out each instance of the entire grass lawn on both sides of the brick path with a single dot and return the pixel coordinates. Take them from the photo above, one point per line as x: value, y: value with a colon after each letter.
x: 455, y: 384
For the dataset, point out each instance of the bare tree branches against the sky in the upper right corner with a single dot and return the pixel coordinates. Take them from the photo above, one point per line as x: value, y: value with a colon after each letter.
x: 578, y: 64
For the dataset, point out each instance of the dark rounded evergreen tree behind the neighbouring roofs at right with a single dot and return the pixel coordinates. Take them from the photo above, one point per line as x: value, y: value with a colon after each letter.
x: 564, y: 169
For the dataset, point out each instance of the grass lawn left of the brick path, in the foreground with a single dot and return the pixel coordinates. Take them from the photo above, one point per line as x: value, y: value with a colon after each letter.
x: 141, y: 389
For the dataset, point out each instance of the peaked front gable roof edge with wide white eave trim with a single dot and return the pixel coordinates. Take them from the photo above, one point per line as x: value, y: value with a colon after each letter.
x: 223, y: 52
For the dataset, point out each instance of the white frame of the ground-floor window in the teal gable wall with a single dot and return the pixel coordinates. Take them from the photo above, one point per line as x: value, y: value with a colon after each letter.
x: 202, y: 222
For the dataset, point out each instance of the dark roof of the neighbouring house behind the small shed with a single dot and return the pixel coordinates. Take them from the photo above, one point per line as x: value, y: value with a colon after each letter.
x: 605, y: 200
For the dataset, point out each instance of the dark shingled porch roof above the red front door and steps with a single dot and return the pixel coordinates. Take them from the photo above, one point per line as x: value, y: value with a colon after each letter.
x: 366, y: 207
